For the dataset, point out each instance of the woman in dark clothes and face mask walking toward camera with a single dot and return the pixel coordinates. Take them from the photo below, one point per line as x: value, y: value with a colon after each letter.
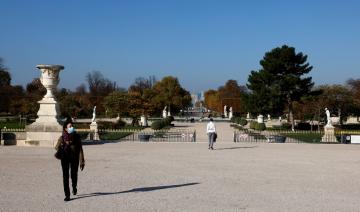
x: 72, y: 156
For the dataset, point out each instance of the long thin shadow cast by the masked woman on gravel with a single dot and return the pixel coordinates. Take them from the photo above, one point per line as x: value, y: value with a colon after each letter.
x: 142, y: 189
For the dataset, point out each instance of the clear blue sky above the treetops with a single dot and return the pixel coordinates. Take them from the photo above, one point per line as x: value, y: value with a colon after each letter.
x: 202, y: 42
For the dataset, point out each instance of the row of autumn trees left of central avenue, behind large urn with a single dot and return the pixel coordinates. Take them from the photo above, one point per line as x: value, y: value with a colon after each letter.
x: 143, y: 97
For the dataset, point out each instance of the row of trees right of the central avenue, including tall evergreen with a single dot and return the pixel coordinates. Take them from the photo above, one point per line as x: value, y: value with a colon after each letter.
x: 282, y: 85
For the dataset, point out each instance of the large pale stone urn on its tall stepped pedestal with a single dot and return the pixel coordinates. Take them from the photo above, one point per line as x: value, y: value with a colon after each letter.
x: 46, y: 129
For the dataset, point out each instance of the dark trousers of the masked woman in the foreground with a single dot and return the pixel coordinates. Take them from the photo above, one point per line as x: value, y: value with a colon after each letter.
x: 73, y: 165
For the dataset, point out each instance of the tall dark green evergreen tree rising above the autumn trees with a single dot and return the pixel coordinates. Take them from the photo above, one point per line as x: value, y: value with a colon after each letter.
x: 280, y: 81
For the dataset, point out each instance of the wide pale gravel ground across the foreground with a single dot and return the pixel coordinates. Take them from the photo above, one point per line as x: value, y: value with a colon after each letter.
x: 134, y: 176
